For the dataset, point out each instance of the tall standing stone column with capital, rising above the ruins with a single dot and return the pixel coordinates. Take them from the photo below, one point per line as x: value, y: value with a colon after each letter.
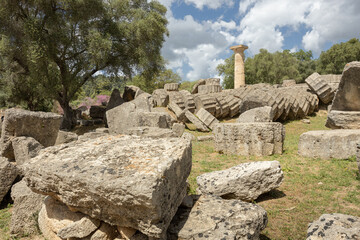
x: 239, y: 76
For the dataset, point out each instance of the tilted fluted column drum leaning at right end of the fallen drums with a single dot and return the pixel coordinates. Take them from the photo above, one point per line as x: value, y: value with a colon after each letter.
x: 320, y: 87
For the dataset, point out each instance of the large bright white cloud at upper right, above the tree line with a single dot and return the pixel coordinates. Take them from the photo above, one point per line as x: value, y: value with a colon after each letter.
x: 326, y: 21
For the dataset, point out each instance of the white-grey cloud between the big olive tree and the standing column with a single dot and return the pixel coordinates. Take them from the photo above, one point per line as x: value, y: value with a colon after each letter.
x: 197, y: 45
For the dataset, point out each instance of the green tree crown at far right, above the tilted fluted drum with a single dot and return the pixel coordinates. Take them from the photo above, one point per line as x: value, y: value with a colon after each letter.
x: 333, y: 60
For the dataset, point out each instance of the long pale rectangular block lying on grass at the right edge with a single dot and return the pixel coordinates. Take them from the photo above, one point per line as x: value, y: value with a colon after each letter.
x: 326, y: 144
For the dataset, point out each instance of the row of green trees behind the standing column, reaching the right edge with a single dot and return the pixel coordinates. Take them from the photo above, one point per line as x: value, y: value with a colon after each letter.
x: 273, y: 68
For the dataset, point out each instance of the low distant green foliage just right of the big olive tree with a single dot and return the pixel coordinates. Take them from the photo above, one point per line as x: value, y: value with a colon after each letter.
x: 157, y: 81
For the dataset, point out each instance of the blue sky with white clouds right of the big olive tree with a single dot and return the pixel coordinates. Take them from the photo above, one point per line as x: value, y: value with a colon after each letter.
x: 202, y: 31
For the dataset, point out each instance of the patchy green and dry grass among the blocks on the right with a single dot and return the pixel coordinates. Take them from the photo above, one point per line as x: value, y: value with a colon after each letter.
x: 311, y: 187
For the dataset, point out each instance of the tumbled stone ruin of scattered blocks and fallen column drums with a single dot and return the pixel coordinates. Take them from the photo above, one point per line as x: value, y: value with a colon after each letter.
x: 129, y: 180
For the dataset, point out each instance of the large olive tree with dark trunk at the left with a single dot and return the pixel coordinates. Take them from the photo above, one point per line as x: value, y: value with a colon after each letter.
x: 56, y: 46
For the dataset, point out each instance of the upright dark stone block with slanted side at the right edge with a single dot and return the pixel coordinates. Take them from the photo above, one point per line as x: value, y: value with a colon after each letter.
x: 347, y: 97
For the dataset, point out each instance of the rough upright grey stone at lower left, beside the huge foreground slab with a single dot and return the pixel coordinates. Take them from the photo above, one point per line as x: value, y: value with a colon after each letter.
x: 27, y: 205
